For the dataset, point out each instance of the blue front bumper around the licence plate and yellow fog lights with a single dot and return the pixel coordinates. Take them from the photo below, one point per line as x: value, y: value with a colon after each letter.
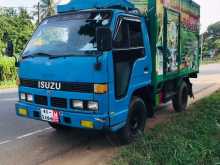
x: 71, y: 119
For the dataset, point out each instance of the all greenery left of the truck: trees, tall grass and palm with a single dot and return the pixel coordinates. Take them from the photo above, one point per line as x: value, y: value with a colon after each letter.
x: 18, y: 26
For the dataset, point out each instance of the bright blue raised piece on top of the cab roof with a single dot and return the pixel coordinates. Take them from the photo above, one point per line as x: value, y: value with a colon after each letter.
x: 75, y: 5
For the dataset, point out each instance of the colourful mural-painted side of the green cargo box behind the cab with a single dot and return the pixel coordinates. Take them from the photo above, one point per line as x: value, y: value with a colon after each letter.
x: 176, y: 37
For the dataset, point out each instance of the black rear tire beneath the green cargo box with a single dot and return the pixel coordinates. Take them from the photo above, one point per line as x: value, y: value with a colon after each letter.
x: 180, y: 100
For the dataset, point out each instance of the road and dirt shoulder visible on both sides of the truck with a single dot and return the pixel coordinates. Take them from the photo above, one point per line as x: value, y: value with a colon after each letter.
x: 29, y: 142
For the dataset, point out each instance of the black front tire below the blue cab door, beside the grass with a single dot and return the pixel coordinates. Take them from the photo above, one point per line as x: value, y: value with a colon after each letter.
x: 135, y: 123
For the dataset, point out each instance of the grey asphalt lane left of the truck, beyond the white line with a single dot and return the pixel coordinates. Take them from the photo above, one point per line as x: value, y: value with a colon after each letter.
x: 12, y: 126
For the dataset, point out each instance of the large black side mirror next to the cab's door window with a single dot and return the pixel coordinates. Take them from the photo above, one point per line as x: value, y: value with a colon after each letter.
x: 104, y: 39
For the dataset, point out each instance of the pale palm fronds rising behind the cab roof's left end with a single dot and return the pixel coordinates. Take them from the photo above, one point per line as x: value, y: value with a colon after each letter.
x: 44, y: 9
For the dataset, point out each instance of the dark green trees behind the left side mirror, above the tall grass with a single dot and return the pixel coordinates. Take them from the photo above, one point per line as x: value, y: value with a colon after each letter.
x: 19, y: 26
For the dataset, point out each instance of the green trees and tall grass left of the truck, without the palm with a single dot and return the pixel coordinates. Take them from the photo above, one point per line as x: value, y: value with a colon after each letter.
x: 19, y: 26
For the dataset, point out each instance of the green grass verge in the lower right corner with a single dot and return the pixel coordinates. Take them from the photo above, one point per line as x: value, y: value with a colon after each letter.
x: 191, y: 138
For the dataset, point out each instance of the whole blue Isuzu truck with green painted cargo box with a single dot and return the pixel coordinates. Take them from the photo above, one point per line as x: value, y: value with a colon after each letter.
x: 107, y: 64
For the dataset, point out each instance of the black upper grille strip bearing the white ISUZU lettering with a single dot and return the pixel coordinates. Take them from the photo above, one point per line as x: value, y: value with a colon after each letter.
x: 65, y: 86
